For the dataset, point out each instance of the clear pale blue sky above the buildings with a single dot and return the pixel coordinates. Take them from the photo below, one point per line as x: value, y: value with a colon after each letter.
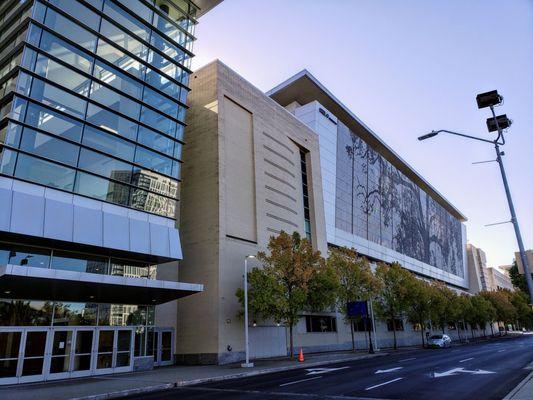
x: 406, y: 67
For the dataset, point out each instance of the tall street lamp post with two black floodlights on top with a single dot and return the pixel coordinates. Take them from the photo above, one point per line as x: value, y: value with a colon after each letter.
x: 490, y: 99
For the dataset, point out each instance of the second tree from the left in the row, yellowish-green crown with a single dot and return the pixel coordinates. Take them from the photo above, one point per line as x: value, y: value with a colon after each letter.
x: 355, y: 281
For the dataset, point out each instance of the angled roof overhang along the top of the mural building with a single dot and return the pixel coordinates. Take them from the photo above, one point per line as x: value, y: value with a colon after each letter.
x: 304, y: 88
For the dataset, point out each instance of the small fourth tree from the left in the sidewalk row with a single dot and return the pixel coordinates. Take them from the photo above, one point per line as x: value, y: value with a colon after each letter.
x: 419, y: 304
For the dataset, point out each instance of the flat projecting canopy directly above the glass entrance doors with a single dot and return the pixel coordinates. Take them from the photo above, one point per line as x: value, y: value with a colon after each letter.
x: 32, y: 283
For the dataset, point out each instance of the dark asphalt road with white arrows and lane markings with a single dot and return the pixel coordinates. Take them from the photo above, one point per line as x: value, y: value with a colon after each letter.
x: 484, y: 371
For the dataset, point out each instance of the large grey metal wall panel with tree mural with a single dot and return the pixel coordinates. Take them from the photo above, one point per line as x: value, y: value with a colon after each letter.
x: 375, y: 201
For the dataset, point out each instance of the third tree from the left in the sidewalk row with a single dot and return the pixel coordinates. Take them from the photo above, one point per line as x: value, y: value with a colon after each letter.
x: 392, y: 300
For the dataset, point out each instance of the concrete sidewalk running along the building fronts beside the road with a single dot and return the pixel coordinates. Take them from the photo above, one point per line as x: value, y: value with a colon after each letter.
x: 118, y: 385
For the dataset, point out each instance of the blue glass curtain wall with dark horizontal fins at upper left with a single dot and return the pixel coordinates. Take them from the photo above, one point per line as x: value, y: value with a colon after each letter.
x: 98, y: 103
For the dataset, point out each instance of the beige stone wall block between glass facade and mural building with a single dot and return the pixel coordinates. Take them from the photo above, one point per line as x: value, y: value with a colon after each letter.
x: 241, y: 184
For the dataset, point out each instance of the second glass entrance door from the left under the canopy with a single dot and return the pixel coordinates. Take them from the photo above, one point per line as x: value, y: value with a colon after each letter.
x: 32, y: 367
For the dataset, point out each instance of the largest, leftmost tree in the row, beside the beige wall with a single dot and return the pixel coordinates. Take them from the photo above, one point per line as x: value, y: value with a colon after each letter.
x: 294, y: 278
